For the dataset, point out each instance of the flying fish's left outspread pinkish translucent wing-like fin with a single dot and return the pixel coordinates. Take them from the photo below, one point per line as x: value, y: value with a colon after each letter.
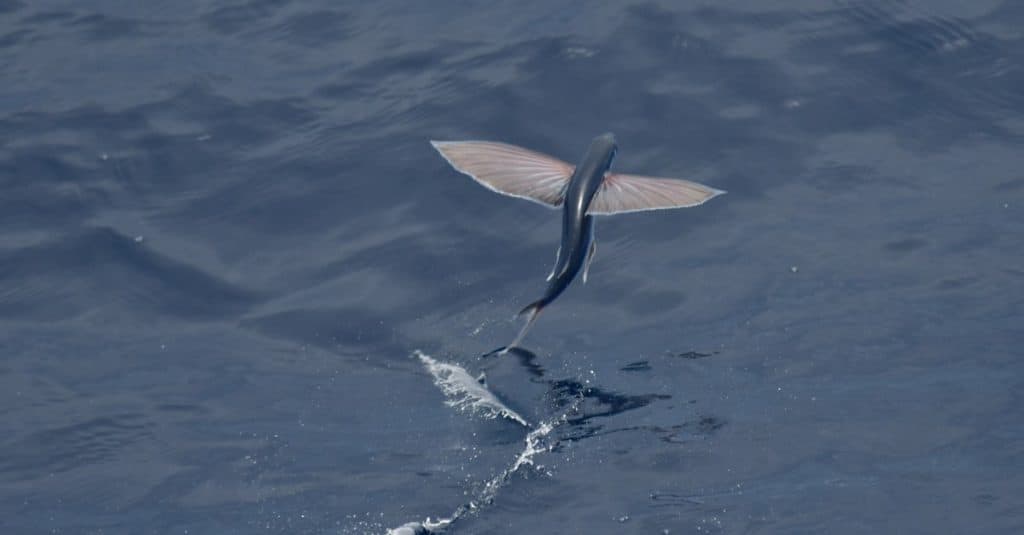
x: 509, y: 171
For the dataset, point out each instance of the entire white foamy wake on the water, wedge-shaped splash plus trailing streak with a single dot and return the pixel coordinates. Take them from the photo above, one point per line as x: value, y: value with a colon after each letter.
x: 464, y: 393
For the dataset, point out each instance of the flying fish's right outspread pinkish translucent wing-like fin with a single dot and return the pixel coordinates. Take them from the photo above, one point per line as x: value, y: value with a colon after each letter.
x: 628, y: 193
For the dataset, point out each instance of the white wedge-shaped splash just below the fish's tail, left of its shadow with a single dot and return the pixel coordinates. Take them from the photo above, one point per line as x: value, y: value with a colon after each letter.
x: 464, y: 393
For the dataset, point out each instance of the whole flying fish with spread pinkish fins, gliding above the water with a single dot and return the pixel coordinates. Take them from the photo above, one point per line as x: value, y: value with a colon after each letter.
x: 581, y: 192
